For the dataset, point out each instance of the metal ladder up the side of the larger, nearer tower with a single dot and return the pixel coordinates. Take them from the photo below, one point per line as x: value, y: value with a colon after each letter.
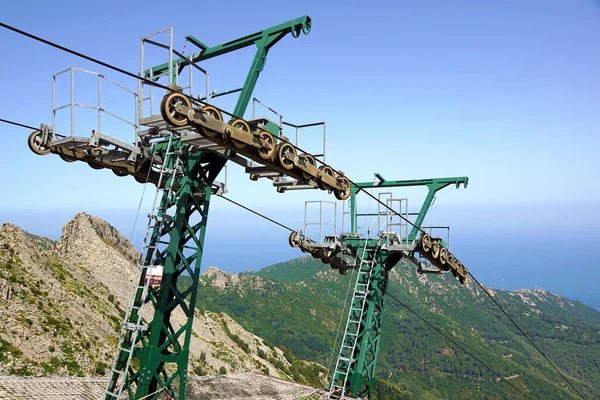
x: 132, y: 324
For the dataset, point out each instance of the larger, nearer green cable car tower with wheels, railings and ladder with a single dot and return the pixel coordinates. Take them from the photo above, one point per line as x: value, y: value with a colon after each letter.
x: 181, y: 149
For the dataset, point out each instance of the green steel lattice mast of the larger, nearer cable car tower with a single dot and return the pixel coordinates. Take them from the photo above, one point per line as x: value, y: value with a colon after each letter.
x: 161, y: 352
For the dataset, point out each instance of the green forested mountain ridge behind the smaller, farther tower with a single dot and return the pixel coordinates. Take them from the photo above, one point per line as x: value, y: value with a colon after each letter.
x: 299, y: 304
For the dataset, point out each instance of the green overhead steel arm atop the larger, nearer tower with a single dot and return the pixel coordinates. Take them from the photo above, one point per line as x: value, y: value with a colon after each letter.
x: 263, y: 40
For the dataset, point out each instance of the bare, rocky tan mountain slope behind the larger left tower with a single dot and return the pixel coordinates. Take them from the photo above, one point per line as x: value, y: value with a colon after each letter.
x: 62, y: 304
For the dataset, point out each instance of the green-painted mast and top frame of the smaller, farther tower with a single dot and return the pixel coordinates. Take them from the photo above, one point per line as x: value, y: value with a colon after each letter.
x: 361, y: 368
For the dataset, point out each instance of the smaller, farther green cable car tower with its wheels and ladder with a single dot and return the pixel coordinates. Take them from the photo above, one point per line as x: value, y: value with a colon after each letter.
x: 354, y: 373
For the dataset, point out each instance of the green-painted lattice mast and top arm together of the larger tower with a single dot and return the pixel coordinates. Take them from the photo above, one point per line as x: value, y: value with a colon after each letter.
x: 162, y: 351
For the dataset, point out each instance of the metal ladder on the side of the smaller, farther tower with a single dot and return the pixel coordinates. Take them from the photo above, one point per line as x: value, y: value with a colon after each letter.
x: 353, y: 324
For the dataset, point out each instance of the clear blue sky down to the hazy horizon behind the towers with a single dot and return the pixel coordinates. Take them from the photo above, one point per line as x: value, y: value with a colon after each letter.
x: 506, y: 93
